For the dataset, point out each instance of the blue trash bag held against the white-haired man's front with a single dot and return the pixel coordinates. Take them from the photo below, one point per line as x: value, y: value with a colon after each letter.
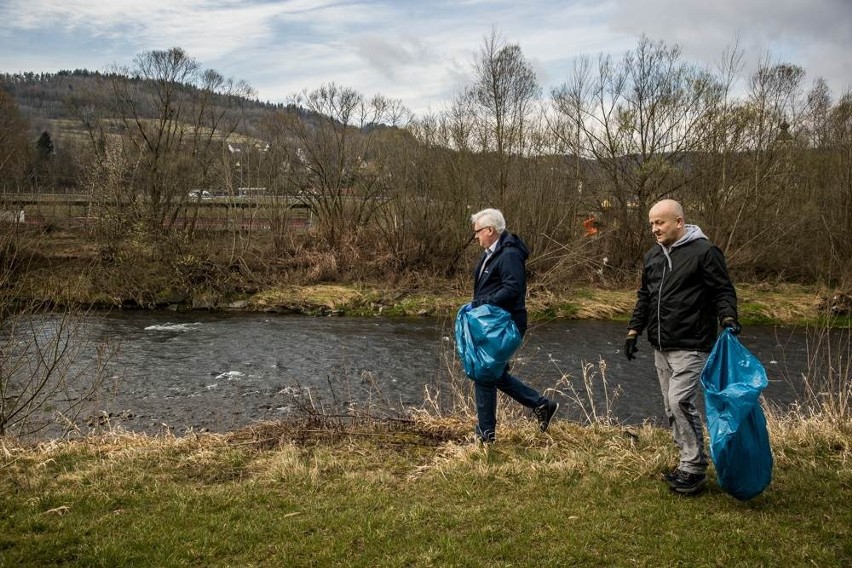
x: 486, y: 338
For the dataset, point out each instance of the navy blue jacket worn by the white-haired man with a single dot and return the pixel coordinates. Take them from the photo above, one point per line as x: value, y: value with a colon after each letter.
x: 503, y: 282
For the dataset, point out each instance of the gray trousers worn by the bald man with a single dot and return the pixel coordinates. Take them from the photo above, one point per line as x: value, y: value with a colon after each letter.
x: 679, y: 373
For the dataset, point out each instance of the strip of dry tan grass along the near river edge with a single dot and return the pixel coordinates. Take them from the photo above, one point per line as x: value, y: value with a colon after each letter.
x: 424, y: 446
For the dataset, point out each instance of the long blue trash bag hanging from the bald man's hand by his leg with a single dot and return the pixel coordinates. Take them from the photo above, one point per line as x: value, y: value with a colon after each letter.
x: 733, y: 379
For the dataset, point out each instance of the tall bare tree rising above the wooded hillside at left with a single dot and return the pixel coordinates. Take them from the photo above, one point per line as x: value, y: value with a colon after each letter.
x: 173, y: 116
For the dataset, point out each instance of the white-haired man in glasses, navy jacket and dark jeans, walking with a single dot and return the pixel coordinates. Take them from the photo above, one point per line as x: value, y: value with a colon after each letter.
x: 500, y: 279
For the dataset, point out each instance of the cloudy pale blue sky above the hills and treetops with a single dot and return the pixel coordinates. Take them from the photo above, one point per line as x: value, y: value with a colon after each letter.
x: 420, y: 52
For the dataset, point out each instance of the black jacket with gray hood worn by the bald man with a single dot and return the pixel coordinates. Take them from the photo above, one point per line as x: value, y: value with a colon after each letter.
x: 685, y: 290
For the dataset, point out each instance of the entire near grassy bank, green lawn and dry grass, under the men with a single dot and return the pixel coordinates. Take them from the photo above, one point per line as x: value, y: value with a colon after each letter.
x: 416, y: 493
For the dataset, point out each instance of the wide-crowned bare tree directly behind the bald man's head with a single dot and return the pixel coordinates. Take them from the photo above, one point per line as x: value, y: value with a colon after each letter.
x: 638, y: 120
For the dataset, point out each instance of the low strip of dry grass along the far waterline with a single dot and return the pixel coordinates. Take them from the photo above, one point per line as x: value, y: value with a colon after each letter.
x: 781, y: 304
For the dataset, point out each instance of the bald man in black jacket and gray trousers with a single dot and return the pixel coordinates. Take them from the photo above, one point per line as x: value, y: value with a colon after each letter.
x: 685, y: 290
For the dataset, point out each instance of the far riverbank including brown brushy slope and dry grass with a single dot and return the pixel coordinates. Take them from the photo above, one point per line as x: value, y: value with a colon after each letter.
x: 64, y: 268
